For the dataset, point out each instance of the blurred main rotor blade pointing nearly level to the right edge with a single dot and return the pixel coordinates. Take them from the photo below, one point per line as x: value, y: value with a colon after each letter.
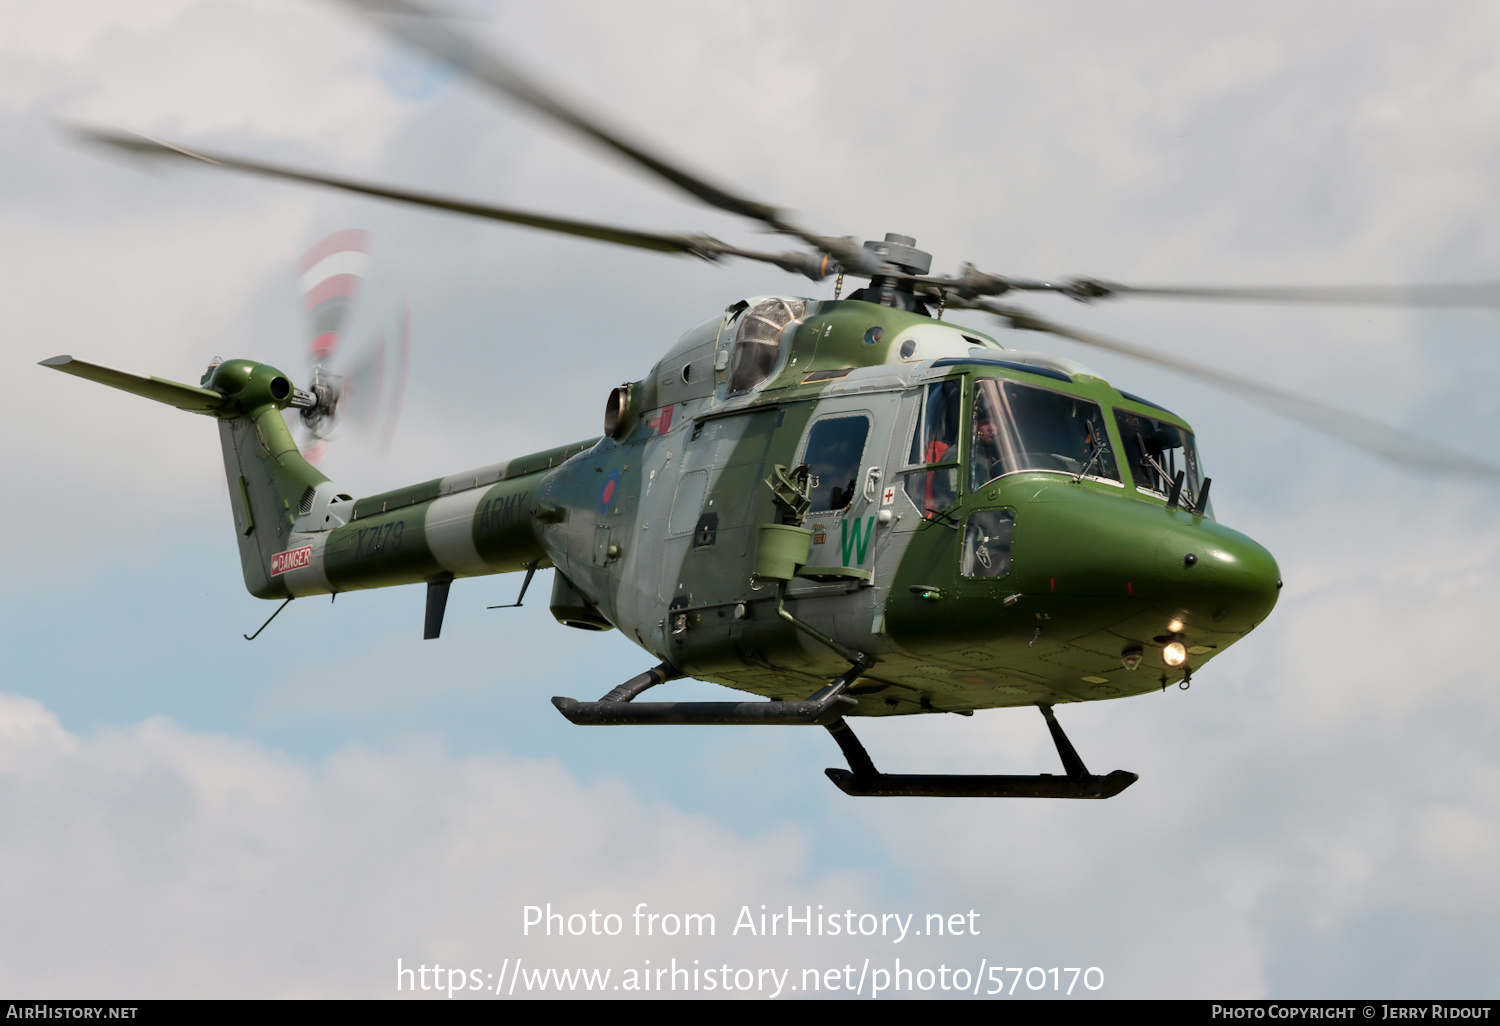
x: 1463, y: 295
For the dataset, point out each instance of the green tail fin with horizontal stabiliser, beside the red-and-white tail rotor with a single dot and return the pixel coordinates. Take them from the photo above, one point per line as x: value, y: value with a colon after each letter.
x: 271, y: 484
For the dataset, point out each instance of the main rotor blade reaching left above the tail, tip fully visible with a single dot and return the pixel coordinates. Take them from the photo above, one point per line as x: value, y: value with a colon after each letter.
x: 665, y: 244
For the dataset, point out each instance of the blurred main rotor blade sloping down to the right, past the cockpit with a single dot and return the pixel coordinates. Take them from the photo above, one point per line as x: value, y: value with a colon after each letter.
x: 1391, y: 445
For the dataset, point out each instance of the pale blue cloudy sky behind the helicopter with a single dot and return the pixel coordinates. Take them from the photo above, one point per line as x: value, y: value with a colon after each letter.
x: 184, y: 814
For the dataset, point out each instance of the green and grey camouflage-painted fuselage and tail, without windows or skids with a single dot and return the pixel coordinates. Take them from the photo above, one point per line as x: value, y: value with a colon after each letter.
x: 656, y: 529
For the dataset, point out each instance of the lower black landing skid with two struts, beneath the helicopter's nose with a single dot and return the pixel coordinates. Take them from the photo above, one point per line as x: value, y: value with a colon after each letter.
x: 863, y: 781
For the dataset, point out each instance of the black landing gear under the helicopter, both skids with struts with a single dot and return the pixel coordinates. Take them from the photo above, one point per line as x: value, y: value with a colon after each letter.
x: 827, y: 709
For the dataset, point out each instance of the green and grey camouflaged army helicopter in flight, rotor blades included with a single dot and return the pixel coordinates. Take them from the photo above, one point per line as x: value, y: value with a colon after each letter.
x: 848, y: 508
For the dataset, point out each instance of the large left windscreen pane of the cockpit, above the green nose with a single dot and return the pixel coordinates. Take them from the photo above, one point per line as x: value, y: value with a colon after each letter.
x: 1024, y: 428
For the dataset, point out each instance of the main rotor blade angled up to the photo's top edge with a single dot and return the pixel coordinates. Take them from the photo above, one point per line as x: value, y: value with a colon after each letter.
x: 428, y: 32
